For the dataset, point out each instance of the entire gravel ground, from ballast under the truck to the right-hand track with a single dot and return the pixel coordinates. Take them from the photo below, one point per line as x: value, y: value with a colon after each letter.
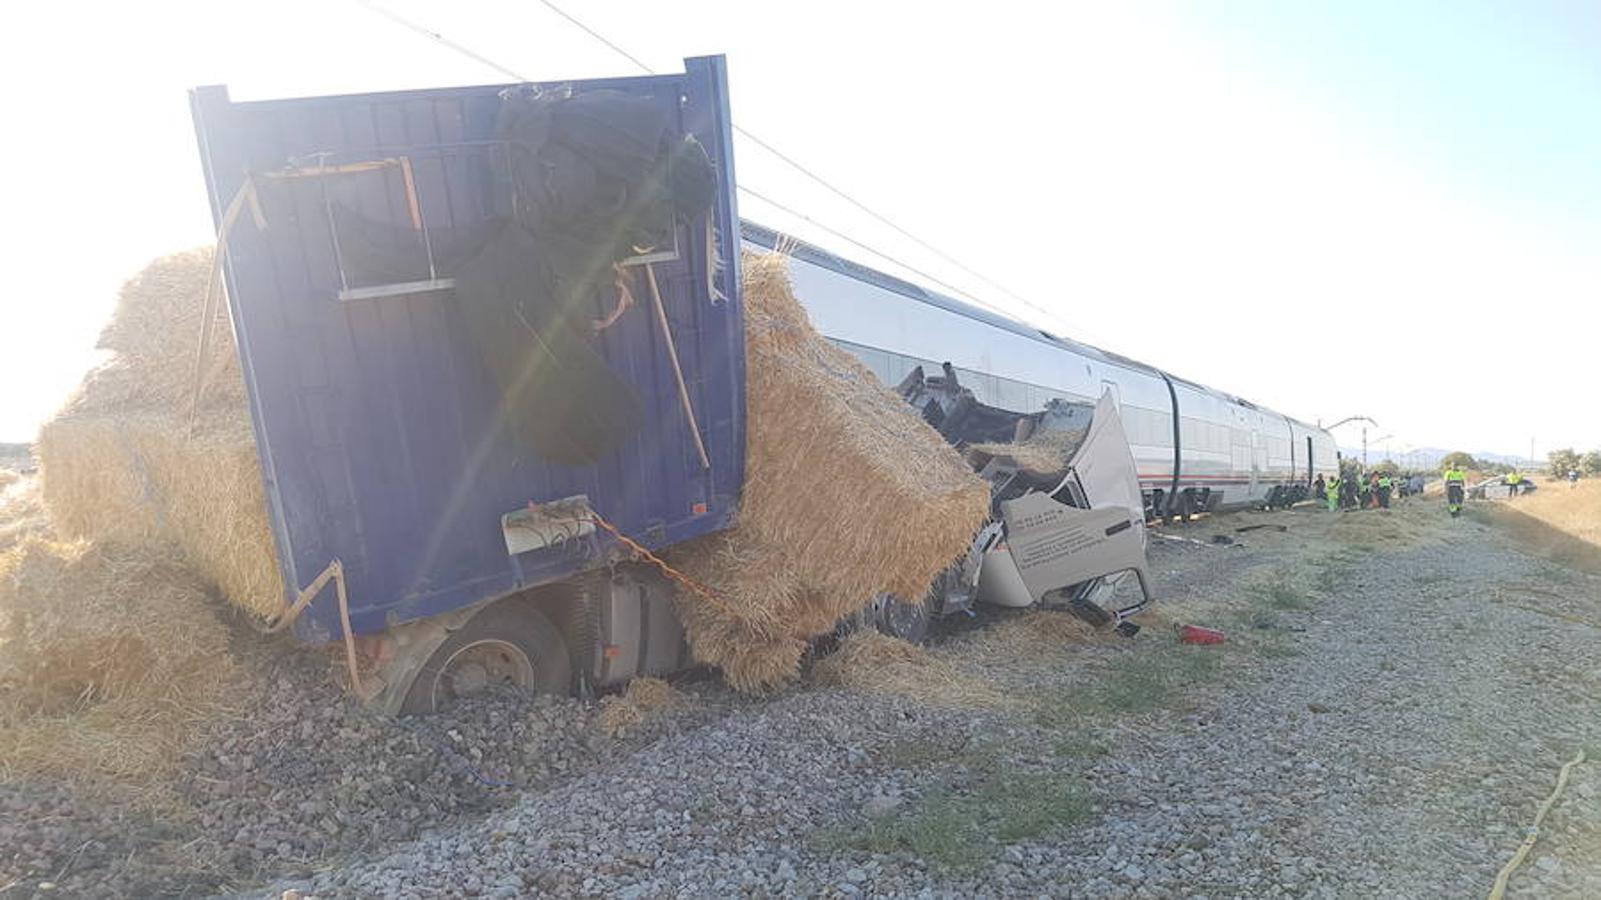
x: 1395, y: 699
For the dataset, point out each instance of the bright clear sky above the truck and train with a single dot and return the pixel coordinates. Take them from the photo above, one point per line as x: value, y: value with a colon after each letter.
x: 1330, y: 209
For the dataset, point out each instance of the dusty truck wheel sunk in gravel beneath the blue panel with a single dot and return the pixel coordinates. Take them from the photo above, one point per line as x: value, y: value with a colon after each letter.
x: 507, y: 645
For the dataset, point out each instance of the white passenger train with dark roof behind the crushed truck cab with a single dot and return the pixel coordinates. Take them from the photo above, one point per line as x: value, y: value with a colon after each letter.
x: 1197, y: 449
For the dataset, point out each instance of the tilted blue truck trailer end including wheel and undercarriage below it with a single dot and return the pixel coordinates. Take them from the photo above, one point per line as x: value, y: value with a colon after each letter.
x: 475, y: 324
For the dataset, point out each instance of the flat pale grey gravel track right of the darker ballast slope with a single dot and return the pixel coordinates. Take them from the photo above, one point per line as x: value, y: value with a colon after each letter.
x: 1387, y: 737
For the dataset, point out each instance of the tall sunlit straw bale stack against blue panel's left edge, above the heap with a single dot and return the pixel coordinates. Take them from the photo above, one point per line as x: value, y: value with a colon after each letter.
x: 121, y: 465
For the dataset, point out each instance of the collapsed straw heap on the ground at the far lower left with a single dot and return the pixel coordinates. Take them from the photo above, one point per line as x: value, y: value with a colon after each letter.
x: 111, y: 661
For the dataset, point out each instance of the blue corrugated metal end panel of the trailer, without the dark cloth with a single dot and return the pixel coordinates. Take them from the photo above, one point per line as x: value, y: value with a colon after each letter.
x: 382, y: 435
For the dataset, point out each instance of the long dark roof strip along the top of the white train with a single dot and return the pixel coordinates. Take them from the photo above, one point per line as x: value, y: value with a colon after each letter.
x: 769, y: 238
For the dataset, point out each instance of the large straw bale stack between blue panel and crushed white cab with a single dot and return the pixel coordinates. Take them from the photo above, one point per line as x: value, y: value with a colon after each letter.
x: 848, y: 494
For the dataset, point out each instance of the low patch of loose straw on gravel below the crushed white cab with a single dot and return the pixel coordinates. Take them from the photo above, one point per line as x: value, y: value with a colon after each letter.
x: 878, y: 664
